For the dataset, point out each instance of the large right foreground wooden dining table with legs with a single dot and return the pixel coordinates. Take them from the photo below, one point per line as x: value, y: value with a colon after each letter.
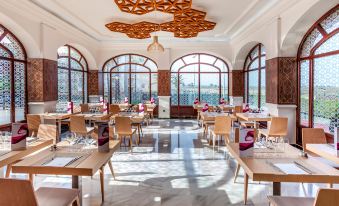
x: 260, y: 166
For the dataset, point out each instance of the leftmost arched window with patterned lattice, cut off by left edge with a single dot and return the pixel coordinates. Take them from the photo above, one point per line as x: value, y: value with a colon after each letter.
x: 13, y: 61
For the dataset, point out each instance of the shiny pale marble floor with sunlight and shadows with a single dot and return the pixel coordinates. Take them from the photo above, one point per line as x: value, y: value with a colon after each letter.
x: 173, y: 165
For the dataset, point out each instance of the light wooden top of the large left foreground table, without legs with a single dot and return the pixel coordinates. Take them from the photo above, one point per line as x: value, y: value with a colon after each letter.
x: 88, y: 165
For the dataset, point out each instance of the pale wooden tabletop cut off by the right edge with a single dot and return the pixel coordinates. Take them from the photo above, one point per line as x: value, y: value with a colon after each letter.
x: 326, y: 151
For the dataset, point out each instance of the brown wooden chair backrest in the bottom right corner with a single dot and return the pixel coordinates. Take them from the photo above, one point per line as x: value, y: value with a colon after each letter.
x: 328, y: 197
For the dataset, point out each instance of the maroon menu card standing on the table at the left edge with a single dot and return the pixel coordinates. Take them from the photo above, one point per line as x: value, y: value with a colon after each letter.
x: 19, y: 135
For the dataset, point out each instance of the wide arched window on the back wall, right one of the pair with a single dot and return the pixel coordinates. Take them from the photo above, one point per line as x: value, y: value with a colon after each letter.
x: 200, y: 76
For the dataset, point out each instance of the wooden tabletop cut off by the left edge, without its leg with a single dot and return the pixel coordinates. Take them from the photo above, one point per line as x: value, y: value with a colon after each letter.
x: 14, y: 156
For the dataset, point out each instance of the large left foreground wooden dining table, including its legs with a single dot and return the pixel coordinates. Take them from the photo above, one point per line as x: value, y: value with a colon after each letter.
x: 90, y: 162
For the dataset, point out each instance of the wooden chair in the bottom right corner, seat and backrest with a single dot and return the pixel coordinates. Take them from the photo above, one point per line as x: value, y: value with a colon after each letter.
x: 325, y: 197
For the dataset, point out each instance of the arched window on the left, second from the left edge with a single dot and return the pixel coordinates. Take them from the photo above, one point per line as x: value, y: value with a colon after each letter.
x: 72, y: 77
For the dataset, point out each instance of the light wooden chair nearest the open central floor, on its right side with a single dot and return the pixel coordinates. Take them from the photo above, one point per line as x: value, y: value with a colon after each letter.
x: 221, y: 128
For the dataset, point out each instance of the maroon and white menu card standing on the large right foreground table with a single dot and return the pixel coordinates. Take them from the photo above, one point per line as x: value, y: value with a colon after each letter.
x: 246, y: 142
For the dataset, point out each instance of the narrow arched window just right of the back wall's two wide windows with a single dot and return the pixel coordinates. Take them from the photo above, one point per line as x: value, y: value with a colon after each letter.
x: 255, y: 77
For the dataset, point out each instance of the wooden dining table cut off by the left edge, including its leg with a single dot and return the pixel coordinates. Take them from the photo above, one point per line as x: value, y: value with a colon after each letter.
x: 7, y: 158
